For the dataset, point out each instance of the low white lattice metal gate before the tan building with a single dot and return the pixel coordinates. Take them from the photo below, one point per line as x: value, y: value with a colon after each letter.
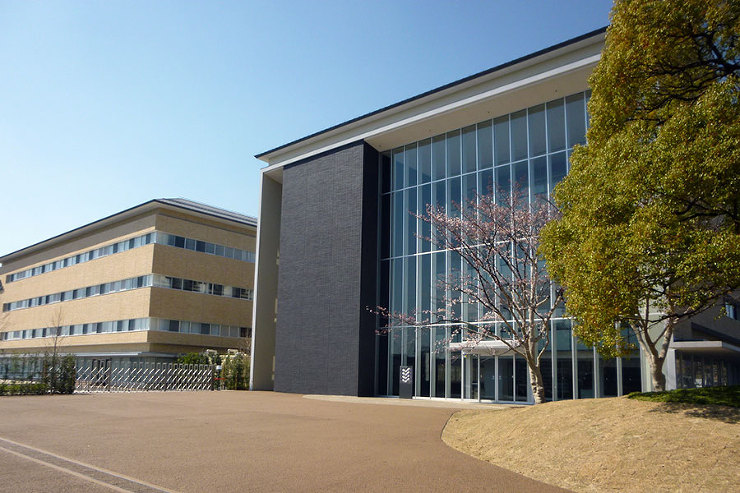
x: 142, y: 376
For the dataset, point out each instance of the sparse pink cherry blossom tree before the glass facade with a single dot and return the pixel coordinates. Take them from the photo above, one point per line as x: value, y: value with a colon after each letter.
x: 497, y: 238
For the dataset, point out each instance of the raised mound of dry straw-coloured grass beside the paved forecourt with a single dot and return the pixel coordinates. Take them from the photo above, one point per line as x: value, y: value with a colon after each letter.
x: 608, y: 444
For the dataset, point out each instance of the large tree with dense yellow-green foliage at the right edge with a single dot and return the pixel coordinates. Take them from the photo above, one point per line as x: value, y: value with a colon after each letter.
x: 650, y: 227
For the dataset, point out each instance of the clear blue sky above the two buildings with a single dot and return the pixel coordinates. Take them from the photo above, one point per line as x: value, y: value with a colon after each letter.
x: 108, y: 104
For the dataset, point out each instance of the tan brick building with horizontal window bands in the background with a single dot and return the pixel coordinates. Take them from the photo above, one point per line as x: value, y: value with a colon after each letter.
x: 165, y: 277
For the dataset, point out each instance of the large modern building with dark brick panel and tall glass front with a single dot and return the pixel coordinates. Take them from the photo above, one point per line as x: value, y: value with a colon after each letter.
x: 336, y: 237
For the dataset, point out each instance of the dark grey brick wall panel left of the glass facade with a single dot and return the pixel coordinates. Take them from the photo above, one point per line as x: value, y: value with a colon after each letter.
x: 328, y: 256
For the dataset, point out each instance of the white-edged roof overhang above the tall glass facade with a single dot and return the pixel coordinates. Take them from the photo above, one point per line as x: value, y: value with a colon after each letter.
x: 548, y: 74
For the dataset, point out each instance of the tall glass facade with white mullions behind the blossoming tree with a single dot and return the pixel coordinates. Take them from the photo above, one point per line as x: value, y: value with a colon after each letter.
x: 529, y: 149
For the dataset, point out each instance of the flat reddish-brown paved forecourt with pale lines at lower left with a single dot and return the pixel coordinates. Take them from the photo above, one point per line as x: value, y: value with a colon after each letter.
x: 234, y: 441
